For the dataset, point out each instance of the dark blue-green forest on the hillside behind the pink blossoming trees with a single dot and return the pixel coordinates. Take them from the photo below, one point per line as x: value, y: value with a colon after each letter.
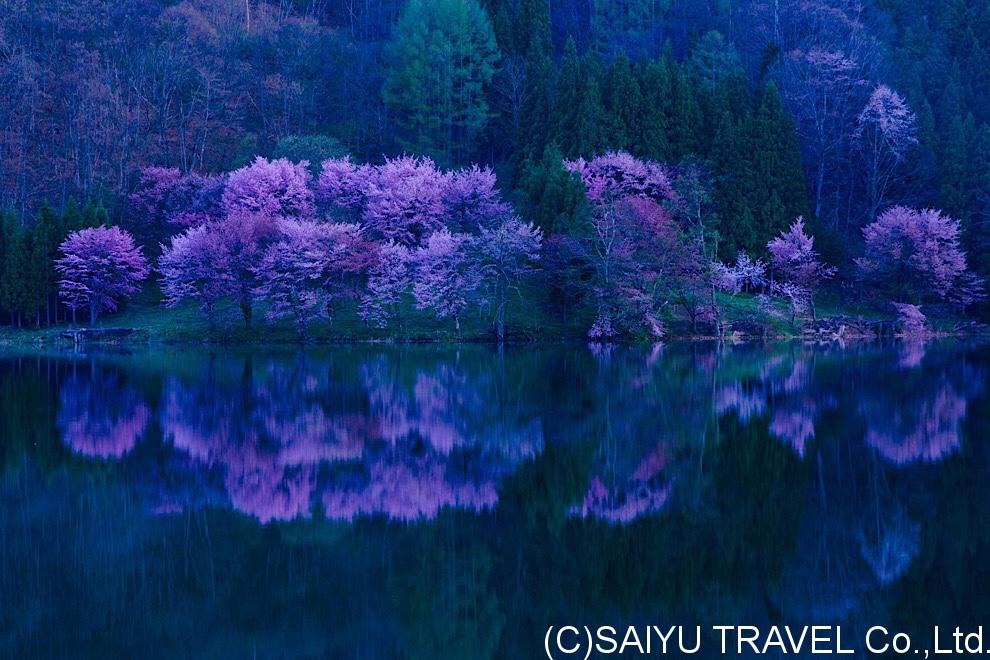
x: 765, y: 95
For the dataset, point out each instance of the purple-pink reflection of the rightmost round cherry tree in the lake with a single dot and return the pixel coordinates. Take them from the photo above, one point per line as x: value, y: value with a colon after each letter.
x: 926, y: 432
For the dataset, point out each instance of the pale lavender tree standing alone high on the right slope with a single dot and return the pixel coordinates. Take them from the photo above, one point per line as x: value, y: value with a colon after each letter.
x: 885, y: 130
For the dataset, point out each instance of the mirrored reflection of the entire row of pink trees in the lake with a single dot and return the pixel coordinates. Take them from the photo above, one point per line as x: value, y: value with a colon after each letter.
x: 406, y: 433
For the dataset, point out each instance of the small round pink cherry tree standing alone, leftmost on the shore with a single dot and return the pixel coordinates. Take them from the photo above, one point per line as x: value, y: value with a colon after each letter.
x: 100, y: 266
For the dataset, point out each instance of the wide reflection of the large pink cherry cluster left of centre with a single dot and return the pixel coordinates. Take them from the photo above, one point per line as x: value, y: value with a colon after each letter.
x: 403, y: 447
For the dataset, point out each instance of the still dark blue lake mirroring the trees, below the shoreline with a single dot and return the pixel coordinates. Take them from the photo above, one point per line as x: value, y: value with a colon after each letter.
x: 383, y: 501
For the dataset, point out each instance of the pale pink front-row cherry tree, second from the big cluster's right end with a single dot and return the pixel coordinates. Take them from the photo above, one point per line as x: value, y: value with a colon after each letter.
x: 446, y: 275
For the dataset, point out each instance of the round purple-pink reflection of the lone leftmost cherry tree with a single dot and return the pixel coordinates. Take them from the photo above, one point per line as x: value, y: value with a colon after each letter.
x: 102, y: 420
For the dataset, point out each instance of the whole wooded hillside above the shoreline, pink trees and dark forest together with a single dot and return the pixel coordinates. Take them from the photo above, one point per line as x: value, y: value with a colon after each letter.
x: 621, y: 165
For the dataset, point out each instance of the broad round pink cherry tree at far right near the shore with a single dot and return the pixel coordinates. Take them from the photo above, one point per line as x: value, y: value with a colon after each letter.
x: 916, y: 254
